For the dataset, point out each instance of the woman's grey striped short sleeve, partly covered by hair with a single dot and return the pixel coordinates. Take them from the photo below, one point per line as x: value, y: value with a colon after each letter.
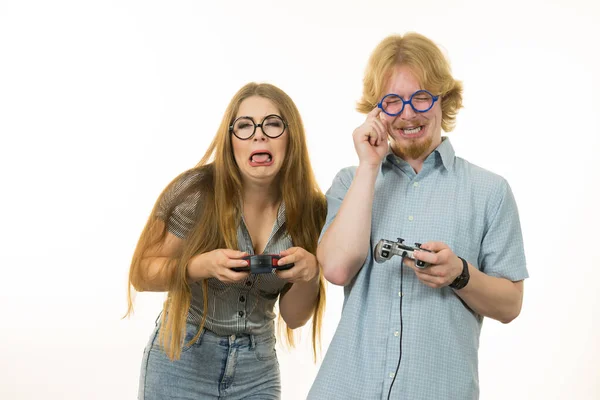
x: 181, y: 197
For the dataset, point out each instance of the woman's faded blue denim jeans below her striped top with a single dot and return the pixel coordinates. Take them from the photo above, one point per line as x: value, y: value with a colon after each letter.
x: 213, y: 367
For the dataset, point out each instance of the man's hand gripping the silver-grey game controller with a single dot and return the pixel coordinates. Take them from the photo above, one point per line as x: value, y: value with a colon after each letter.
x: 444, y: 267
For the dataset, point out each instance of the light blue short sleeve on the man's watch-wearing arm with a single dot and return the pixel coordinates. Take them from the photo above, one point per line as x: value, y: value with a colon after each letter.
x: 502, y: 252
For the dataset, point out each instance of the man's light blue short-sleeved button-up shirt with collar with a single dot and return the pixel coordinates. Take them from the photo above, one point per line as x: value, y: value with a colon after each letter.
x: 450, y: 200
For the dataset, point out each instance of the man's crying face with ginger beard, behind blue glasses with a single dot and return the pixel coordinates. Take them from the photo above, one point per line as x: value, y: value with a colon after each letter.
x: 413, y: 135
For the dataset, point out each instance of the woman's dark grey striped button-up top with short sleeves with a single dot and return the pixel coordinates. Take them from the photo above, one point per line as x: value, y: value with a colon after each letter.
x: 242, y: 307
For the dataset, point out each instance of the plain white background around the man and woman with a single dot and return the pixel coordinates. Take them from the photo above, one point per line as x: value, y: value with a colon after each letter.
x: 102, y: 103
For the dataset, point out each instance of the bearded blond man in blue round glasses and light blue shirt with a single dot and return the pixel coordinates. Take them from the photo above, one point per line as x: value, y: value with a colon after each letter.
x: 408, y: 332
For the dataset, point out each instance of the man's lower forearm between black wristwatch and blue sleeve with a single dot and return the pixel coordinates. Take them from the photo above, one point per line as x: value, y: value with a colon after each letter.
x: 492, y: 297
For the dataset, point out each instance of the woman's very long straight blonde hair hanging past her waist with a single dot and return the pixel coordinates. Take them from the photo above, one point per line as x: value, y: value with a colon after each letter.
x: 218, y: 182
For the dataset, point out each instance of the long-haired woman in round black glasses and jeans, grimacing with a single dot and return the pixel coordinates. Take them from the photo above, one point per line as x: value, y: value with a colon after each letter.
x: 253, y: 192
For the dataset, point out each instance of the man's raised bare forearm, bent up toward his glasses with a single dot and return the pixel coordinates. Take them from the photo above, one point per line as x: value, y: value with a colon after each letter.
x: 345, y: 244
